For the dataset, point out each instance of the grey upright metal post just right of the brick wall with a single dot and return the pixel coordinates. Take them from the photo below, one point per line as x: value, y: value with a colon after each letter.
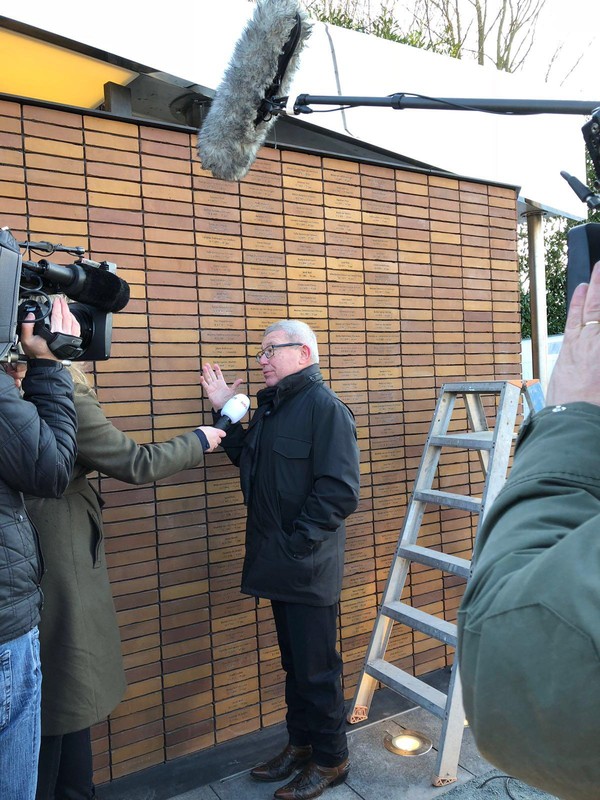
x: 537, y: 293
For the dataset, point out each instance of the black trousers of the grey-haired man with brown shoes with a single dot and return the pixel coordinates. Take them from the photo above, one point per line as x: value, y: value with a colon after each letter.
x: 313, y: 669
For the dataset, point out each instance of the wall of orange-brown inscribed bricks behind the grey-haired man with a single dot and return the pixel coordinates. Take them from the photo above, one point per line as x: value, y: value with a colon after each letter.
x: 410, y: 280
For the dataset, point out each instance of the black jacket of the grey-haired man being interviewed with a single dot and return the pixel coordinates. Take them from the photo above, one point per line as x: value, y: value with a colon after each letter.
x: 299, y: 471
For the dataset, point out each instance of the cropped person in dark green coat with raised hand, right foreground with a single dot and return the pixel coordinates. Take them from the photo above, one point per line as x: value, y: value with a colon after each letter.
x: 529, y: 623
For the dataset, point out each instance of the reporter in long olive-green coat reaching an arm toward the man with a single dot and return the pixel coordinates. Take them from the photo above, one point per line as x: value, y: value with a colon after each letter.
x: 82, y: 668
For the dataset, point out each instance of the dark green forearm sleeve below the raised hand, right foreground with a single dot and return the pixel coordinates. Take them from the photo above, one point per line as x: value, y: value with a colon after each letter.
x: 553, y: 488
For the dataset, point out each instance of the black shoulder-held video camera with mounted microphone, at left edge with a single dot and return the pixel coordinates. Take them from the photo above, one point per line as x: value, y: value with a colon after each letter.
x: 26, y: 286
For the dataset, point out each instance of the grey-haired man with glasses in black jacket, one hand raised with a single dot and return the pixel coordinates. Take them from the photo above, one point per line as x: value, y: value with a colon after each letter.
x: 299, y: 472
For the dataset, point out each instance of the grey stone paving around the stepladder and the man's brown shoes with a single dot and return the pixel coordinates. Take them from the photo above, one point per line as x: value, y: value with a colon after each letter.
x: 376, y: 773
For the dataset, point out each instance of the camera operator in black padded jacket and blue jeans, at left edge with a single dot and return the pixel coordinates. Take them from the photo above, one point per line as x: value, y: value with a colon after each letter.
x: 37, y: 453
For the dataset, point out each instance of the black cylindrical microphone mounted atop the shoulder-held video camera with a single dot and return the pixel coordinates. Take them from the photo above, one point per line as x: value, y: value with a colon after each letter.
x: 83, y: 281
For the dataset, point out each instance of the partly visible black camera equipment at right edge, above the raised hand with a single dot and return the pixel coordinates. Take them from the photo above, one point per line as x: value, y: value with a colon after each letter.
x: 583, y: 241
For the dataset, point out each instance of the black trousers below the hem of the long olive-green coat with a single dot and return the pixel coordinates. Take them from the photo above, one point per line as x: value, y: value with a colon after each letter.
x: 65, y: 767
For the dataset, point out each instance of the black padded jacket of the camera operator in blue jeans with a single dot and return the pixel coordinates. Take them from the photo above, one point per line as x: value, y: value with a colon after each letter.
x: 37, y: 453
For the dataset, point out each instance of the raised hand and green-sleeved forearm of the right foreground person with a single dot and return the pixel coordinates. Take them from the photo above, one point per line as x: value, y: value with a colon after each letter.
x: 556, y: 458
